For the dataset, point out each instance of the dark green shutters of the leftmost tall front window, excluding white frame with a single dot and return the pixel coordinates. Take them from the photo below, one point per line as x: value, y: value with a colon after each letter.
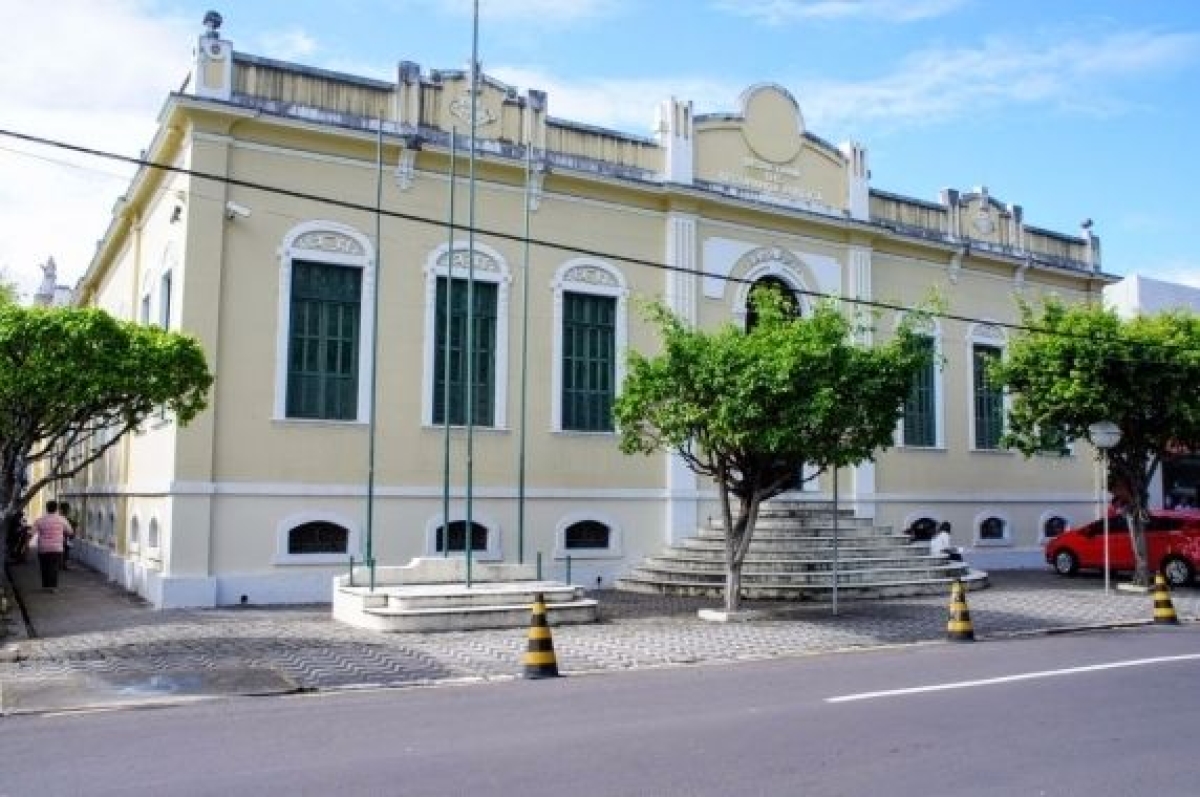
x: 323, y: 344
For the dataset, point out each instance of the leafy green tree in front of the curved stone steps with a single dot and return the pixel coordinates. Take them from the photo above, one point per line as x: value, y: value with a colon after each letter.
x: 752, y: 409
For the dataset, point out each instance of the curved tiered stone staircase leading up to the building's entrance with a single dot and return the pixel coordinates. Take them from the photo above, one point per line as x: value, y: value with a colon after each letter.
x: 791, y: 558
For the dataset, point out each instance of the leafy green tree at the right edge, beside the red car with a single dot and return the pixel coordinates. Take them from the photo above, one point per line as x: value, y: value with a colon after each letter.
x: 1079, y: 365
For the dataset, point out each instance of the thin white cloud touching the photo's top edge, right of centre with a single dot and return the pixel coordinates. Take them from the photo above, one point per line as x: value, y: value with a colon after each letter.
x: 783, y: 13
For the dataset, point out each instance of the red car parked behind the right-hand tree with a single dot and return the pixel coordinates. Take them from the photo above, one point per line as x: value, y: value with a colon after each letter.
x: 1173, y: 541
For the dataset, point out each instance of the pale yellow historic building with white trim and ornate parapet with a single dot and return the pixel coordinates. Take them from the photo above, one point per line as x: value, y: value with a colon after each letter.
x: 303, y: 232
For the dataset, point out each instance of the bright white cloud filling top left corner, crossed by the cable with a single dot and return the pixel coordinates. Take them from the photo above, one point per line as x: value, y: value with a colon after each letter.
x: 93, y: 73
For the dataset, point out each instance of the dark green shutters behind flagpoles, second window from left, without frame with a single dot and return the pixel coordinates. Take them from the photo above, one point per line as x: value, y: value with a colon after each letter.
x: 484, y: 349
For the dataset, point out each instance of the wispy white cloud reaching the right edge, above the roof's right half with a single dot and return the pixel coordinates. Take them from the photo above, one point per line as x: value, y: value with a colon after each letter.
x: 935, y: 86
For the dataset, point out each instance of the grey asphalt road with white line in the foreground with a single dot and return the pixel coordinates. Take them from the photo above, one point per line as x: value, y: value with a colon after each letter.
x: 1100, y: 715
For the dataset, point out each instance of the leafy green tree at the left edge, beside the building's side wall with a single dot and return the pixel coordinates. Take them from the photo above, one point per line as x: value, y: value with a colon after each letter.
x: 74, y: 382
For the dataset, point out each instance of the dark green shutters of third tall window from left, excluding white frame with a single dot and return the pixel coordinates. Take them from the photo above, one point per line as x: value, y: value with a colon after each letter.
x: 590, y: 369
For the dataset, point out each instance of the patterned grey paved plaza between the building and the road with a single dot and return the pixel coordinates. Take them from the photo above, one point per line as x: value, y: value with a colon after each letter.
x: 92, y: 644
